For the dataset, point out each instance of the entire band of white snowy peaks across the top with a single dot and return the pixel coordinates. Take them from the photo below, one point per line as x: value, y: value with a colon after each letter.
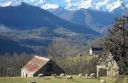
x: 104, y: 5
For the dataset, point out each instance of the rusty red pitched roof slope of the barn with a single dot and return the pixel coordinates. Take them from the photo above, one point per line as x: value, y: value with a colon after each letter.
x: 35, y: 64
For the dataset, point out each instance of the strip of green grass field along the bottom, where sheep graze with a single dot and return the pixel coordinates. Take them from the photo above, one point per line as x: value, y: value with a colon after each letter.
x: 57, y: 80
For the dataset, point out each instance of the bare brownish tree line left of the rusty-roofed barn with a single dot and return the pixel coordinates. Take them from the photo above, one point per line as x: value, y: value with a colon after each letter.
x: 10, y: 65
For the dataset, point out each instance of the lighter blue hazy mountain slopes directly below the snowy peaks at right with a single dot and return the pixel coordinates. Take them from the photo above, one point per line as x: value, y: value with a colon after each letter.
x: 99, y: 21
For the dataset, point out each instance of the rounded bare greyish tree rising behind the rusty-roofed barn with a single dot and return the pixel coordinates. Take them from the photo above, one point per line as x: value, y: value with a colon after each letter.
x: 59, y: 48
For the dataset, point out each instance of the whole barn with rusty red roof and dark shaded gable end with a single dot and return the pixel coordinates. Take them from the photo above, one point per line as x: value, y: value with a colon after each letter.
x: 40, y: 65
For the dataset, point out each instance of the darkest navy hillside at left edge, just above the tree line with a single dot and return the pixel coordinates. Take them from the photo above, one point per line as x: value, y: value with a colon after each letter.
x: 9, y: 46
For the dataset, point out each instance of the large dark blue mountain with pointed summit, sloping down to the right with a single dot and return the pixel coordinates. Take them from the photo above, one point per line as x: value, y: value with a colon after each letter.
x: 29, y: 17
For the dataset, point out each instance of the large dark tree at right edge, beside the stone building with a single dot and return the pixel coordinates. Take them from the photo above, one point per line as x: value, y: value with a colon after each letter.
x: 116, y: 43
